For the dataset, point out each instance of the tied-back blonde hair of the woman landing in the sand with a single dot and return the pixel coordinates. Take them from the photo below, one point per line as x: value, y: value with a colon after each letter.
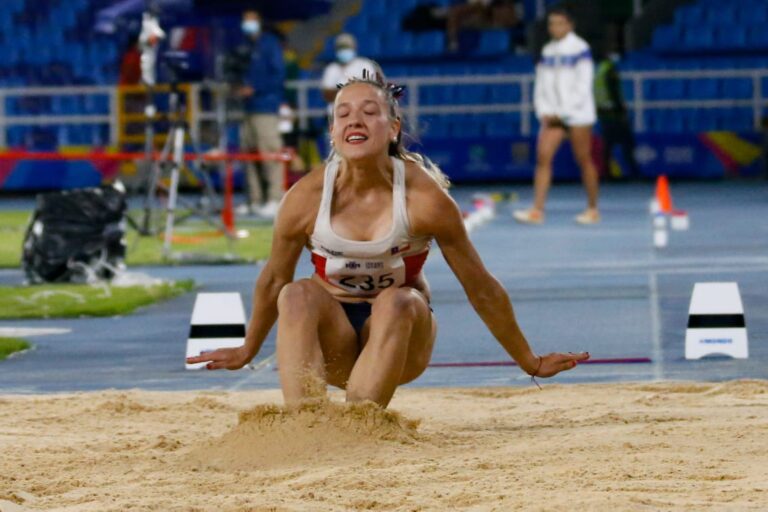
x: 396, y: 148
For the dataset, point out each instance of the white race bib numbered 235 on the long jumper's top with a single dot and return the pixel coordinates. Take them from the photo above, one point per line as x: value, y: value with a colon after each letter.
x: 365, y: 277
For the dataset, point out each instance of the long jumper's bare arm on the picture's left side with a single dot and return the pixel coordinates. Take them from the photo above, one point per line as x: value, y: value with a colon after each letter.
x: 289, y: 237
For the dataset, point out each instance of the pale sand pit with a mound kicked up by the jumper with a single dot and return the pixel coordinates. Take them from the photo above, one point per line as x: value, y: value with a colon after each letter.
x: 653, y: 446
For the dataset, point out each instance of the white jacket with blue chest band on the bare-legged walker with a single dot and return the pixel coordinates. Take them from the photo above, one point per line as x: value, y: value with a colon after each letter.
x: 564, y: 78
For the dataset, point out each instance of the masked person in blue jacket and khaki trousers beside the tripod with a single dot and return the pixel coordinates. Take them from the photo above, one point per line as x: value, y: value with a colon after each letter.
x: 262, y: 94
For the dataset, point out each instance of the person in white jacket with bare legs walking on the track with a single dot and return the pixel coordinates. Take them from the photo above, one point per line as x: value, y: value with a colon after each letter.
x: 565, y: 106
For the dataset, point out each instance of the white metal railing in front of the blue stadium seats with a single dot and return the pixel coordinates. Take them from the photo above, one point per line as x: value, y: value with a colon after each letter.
x: 414, y: 107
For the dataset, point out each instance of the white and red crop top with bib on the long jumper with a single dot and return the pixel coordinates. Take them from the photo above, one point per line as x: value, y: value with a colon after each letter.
x: 365, y: 268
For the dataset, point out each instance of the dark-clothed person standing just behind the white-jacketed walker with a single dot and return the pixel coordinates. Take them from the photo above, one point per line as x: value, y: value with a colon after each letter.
x: 614, y: 123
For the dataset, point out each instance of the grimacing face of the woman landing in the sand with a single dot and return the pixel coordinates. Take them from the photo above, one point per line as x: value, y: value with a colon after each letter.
x: 362, y: 123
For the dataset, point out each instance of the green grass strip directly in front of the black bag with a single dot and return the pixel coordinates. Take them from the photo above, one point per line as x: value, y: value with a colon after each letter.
x: 70, y: 300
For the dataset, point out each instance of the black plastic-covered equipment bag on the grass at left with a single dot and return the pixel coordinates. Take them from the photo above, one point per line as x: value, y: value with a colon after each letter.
x: 74, y: 234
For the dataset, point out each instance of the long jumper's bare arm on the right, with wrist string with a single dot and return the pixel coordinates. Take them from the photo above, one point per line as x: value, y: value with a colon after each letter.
x: 440, y: 216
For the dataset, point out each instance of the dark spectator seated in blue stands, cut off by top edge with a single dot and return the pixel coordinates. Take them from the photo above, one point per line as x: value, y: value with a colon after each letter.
x: 480, y: 14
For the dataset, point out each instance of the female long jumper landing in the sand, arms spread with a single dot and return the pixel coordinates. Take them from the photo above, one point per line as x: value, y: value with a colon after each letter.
x: 363, y: 320
